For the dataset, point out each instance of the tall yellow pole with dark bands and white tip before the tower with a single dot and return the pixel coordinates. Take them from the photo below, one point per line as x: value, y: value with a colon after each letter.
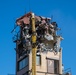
x: 33, y: 45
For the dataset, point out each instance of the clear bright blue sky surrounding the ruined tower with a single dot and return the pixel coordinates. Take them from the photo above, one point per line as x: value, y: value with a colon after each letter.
x: 63, y: 12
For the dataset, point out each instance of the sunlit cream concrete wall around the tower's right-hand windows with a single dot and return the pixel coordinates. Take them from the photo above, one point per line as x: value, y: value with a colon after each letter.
x: 43, y: 66
